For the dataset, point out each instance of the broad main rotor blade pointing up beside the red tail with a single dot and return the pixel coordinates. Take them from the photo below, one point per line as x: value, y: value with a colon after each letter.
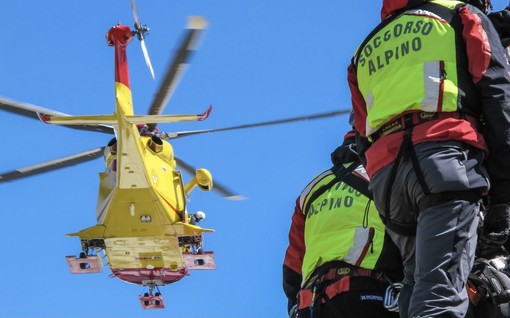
x: 177, y: 67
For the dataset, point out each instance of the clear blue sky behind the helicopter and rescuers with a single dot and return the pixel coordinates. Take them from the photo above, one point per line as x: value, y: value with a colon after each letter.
x: 259, y: 60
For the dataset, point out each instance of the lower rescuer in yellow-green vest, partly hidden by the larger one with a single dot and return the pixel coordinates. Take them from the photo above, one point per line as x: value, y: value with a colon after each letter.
x: 339, y: 261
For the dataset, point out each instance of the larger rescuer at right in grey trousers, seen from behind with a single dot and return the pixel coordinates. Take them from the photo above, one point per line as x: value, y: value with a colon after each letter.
x: 430, y: 89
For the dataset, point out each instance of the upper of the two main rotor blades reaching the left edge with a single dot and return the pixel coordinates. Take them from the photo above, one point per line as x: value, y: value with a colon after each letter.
x: 32, y: 111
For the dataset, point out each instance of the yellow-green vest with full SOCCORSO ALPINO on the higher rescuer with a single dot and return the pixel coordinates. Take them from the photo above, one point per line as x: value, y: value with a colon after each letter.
x: 402, y: 68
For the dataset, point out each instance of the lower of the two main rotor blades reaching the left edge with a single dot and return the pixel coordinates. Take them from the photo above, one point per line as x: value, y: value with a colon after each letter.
x: 52, y: 165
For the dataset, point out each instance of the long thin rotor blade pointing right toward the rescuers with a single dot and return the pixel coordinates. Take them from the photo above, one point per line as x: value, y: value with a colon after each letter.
x: 260, y: 124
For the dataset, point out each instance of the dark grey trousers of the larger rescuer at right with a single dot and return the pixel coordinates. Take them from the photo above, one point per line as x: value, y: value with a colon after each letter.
x: 437, y: 261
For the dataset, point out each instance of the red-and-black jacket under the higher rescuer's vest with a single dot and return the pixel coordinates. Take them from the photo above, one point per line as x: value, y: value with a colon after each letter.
x: 486, y: 96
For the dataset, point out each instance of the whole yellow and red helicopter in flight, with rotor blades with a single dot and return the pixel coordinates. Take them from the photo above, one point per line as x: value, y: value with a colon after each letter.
x: 143, y: 229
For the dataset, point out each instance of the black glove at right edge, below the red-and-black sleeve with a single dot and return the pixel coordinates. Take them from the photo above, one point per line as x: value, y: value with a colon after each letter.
x: 496, y: 231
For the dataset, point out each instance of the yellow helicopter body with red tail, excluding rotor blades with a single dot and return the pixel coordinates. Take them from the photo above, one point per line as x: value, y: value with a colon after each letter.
x: 142, y: 223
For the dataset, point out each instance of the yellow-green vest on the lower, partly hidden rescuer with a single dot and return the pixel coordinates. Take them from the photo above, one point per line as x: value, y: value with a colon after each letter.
x: 338, y: 225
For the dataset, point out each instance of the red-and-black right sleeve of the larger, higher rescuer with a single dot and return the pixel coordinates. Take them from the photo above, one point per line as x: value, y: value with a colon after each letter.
x: 490, y: 71
